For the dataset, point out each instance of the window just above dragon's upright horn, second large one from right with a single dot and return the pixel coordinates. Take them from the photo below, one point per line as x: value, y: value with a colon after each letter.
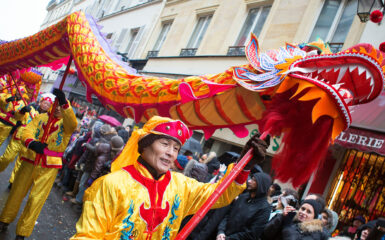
x: 253, y: 24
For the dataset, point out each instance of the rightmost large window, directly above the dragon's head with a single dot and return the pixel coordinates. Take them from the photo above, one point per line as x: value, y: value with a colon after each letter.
x: 334, y: 21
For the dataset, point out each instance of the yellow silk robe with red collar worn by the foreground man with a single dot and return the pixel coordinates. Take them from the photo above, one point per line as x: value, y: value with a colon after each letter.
x: 130, y: 204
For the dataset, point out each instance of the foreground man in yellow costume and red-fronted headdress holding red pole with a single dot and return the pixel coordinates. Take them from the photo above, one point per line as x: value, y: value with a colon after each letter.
x: 141, y: 198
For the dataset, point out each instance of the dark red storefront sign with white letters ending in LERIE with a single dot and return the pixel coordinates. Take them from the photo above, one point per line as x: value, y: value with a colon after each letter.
x: 362, y: 140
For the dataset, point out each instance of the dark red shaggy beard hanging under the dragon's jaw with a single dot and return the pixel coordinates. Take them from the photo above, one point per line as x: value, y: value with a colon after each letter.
x: 304, y: 143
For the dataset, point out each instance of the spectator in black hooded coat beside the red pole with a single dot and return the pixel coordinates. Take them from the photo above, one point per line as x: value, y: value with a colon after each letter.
x: 249, y: 213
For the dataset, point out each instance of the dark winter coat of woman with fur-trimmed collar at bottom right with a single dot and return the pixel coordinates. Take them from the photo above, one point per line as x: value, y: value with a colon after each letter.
x: 280, y: 228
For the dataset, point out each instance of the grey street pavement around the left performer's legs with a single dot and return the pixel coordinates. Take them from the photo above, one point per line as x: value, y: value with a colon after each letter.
x: 57, y: 219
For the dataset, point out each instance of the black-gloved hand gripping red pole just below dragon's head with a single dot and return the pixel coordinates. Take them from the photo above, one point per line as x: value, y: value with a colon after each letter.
x: 259, y: 147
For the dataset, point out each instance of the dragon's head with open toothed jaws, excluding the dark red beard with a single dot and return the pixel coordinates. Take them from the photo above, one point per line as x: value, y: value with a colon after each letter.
x: 339, y: 80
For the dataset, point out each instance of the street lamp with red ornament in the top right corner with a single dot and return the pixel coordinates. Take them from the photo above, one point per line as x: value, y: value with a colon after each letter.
x: 365, y: 8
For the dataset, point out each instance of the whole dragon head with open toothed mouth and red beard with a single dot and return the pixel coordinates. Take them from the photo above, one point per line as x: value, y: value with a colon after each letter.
x: 311, y: 89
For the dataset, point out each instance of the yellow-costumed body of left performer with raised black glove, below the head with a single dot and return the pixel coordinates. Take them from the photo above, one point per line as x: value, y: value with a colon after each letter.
x: 38, y: 171
